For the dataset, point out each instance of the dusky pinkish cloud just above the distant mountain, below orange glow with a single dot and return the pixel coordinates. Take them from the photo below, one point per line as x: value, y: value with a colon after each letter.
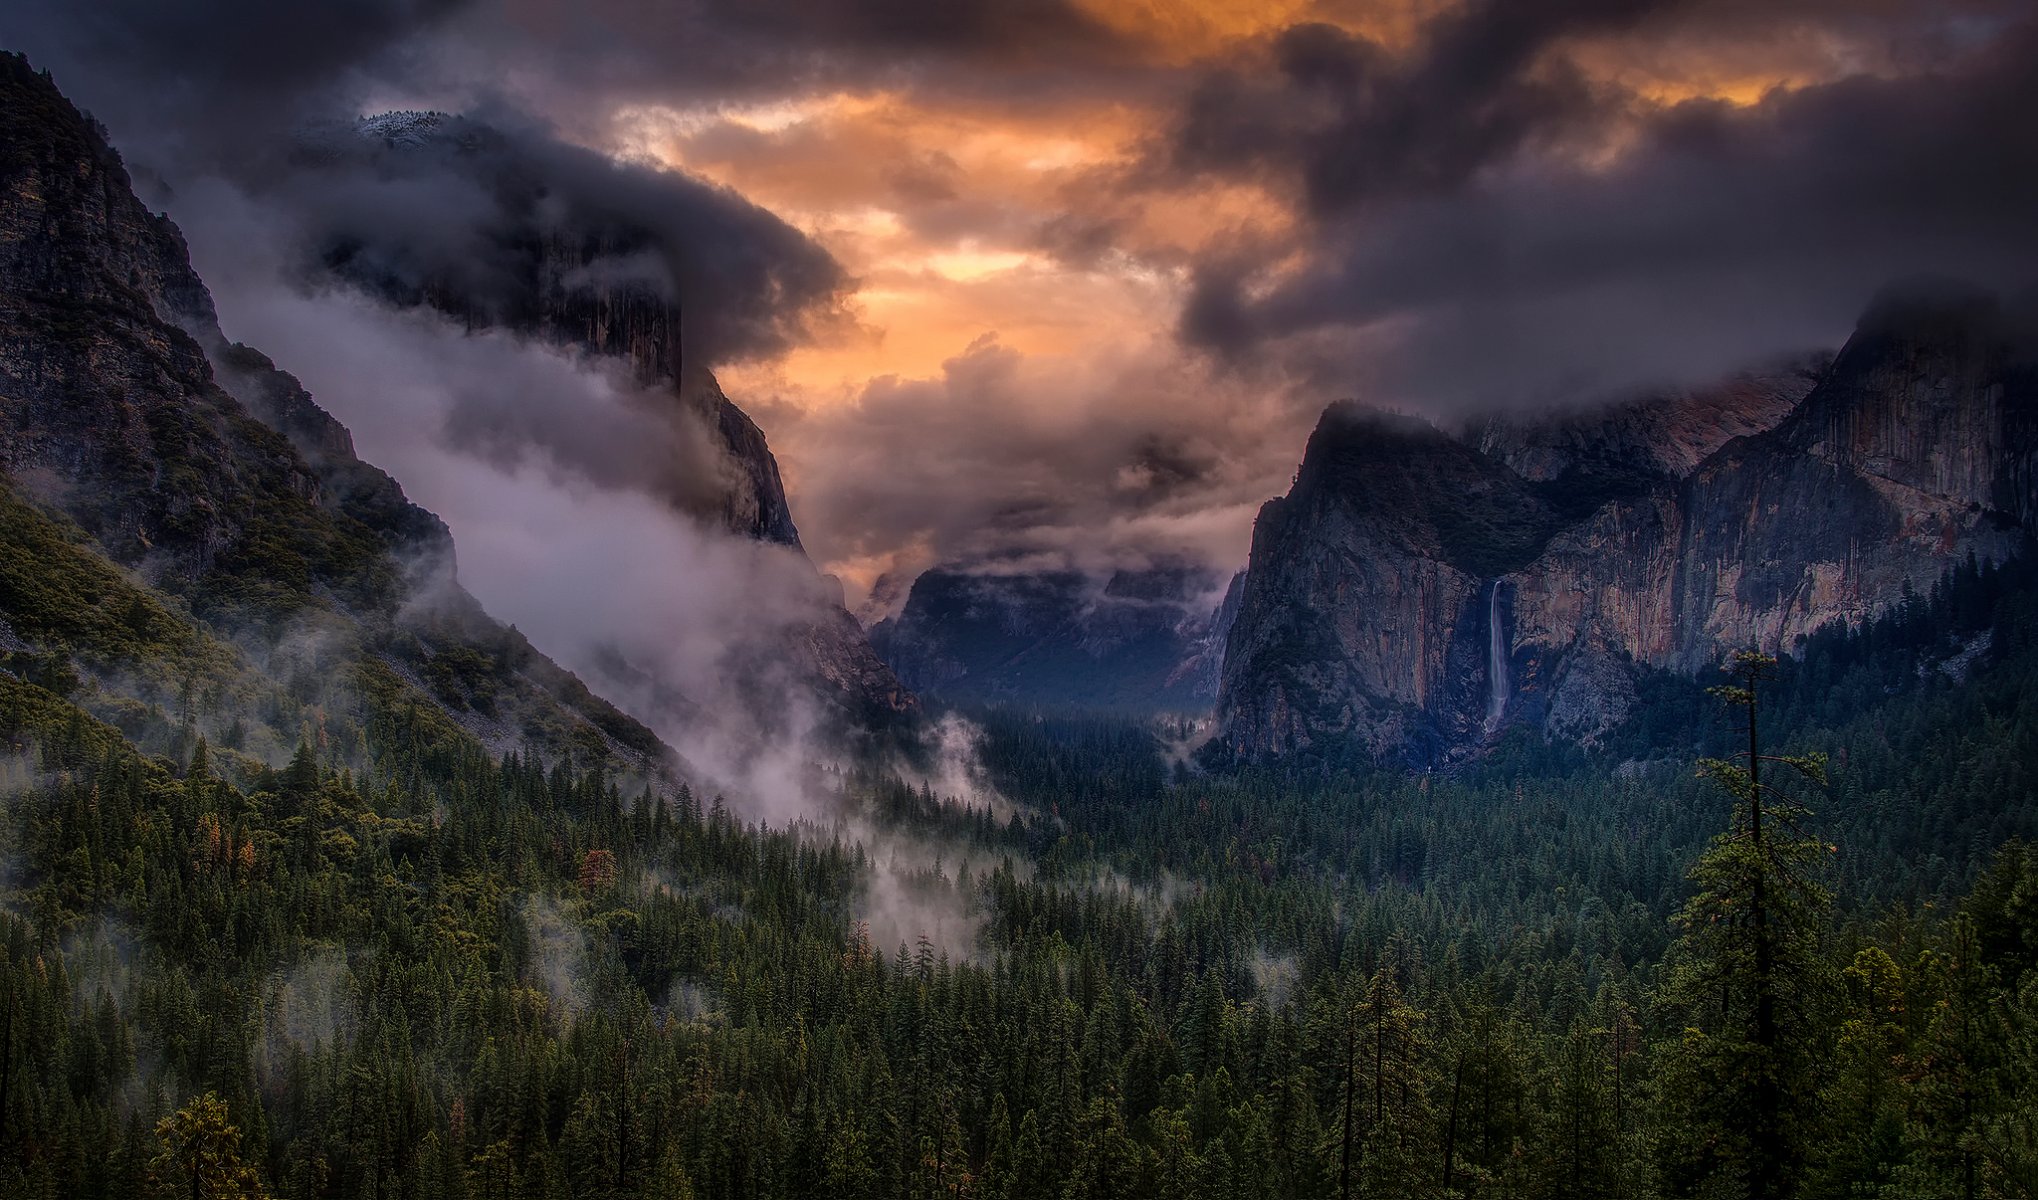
x: 1093, y: 463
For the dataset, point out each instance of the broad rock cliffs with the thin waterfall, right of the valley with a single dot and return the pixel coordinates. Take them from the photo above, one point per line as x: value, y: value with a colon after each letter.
x: 1417, y: 592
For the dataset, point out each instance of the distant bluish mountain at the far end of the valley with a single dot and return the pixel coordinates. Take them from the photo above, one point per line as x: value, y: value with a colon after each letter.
x: 1134, y: 641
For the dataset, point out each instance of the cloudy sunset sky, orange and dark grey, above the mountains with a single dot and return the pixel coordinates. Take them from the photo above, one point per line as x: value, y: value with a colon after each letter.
x: 1069, y: 282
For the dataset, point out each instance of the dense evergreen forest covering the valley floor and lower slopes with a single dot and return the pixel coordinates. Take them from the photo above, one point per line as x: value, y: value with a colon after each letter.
x: 447, y: 973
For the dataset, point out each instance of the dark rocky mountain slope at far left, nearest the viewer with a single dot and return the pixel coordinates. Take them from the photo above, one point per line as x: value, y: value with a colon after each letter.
x: 197, y: 551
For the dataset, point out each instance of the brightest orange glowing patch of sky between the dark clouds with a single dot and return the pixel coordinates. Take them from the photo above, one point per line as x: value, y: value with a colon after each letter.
x: 938, y: 215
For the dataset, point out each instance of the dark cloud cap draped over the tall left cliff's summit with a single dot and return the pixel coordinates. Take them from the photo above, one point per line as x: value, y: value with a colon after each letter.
x: 511, y: 227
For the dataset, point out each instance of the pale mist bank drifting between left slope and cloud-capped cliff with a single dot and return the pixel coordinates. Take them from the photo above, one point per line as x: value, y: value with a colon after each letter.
x: 564, y: 527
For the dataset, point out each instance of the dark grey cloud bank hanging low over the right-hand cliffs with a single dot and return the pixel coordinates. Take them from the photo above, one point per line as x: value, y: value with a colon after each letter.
x: 1709, y: 235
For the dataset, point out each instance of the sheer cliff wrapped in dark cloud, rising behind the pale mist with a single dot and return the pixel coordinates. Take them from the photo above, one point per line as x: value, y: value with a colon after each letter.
x: 576, y: 254
